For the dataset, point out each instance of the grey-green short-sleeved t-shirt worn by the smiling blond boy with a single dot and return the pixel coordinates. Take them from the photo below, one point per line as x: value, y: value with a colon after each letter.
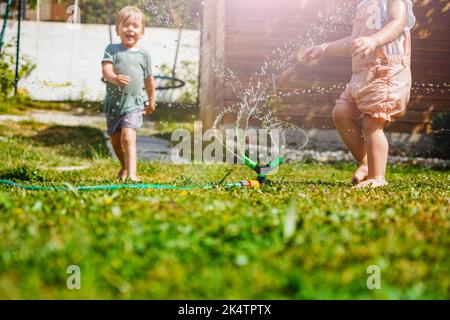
x: 133, y: 63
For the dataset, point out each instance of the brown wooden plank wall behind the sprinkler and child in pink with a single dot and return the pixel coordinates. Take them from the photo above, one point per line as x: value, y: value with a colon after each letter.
x: 240, y: 33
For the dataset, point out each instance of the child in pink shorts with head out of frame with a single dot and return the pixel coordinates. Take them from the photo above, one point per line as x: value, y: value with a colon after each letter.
x: 380, y: 87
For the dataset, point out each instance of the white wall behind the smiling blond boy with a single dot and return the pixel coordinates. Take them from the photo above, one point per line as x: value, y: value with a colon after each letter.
x: 69, y: 60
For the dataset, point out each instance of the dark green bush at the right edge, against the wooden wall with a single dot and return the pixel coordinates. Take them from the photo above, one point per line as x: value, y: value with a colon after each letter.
x: 441, y: 135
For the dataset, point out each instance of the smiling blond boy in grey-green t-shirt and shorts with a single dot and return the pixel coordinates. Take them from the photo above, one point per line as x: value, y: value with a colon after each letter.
x: 130, y: 89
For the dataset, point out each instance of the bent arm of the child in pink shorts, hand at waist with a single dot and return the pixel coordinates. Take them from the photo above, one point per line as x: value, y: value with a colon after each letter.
x: 364, y: 46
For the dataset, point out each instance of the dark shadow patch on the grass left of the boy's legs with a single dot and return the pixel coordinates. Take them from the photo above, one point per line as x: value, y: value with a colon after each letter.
x: 81, y: 141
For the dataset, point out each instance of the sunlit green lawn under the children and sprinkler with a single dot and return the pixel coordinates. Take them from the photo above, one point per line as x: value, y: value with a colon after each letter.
x: 307, y: 236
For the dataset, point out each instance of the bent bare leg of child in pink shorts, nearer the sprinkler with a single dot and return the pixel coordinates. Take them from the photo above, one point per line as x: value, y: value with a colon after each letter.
x: 351, y: 133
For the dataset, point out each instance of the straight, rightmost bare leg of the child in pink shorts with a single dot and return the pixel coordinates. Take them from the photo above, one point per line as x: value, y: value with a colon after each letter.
x: 377, y: 152
